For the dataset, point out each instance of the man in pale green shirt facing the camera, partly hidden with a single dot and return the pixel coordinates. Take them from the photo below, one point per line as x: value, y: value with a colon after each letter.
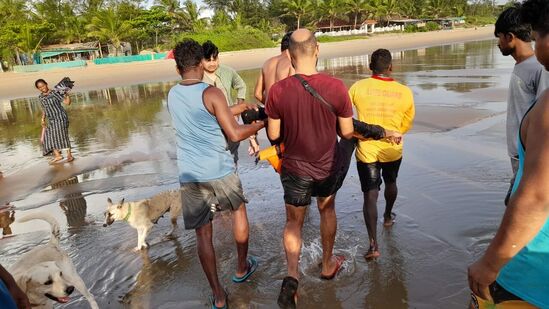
x: 226, y: 79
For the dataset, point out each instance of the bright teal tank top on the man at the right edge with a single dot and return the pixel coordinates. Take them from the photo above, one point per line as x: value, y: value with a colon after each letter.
x: 527, y: 274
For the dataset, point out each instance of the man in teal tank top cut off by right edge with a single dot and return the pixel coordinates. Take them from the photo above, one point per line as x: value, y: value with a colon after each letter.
x: 514, y: 267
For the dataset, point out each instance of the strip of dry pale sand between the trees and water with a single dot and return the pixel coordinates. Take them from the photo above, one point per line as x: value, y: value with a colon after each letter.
x: 21, y: 85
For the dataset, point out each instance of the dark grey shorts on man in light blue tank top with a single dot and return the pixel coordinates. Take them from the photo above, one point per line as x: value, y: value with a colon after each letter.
x: 200, y: 200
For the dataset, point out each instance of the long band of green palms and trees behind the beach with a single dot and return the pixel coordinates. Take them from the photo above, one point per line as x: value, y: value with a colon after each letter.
x: 25, y: 25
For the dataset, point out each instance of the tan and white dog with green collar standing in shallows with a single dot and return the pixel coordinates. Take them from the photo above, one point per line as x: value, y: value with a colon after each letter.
x: 142, y: 215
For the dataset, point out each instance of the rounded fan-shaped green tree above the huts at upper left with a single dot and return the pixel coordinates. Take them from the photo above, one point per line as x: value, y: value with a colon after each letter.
x: 107, y: 26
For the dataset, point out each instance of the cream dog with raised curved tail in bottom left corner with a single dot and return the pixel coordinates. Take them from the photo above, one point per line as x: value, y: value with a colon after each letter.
x: 46, y: 273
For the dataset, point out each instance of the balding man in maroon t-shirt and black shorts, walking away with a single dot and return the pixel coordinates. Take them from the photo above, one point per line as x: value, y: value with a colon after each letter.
x: 309, y: 168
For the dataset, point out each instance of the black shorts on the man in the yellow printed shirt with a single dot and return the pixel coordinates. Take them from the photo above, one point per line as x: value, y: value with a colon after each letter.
x: 370, y: 174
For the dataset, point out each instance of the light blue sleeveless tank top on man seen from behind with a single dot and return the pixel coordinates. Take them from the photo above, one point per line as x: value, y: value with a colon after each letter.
x: 202, y: 152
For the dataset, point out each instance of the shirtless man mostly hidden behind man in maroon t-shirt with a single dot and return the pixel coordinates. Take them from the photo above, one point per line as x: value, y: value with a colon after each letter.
x: 275, y: 69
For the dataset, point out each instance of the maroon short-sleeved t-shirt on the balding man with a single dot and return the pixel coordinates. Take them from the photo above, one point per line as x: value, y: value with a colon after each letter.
x: 308, y: 128
